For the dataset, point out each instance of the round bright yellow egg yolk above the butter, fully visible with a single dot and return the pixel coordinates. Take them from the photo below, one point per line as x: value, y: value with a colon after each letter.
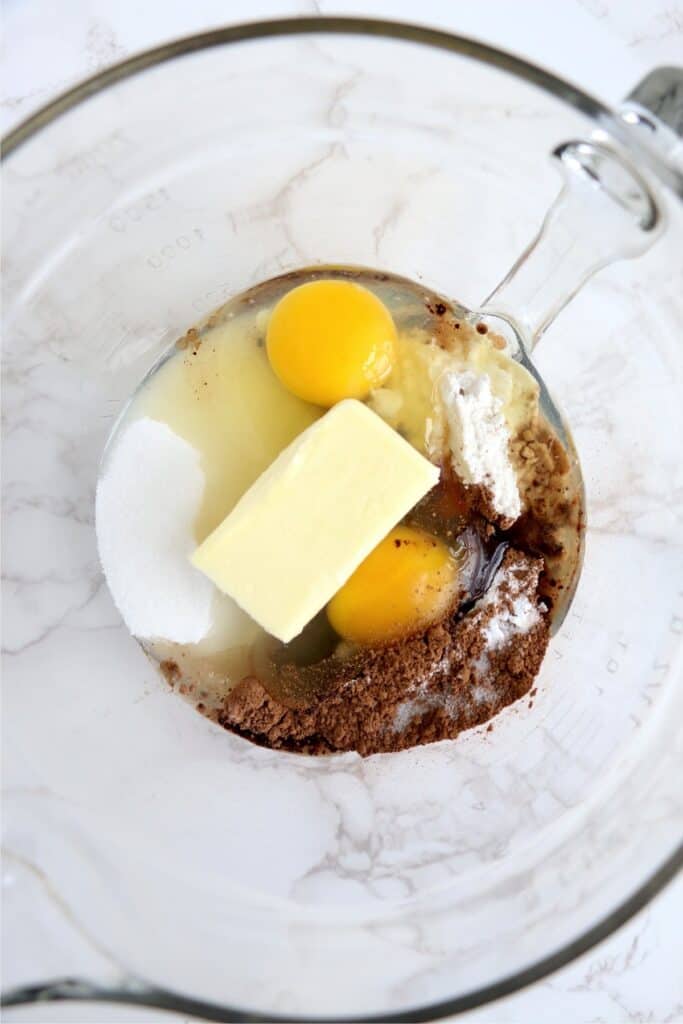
x: 329, y: 340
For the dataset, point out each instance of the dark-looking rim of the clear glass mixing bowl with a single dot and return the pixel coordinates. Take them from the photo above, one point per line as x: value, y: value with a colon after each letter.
x: 139, y: 993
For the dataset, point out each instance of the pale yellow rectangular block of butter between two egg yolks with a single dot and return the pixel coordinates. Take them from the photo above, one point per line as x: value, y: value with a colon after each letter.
x: 310, y: 521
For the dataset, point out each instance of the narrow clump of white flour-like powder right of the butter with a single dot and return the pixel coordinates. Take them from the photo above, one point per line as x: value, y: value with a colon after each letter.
x: 480, y: 439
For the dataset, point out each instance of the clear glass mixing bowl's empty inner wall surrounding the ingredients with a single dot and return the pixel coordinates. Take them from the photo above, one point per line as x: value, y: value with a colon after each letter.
x: 235, y: 882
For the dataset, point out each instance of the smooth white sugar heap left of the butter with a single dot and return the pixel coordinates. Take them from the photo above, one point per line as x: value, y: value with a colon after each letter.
x: 147, y: 505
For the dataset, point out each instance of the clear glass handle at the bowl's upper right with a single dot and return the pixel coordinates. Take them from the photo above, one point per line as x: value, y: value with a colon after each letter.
x: 606, y: 211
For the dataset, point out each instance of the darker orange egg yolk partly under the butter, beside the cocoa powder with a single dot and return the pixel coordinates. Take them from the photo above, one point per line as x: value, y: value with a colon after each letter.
x: 407, y: 583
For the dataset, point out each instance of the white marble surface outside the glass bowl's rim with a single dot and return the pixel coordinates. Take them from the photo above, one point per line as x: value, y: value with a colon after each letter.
x: 632, y: 976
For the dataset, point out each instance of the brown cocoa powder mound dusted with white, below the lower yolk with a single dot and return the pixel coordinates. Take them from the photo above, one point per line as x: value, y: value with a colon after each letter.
x: 457, y: 674
